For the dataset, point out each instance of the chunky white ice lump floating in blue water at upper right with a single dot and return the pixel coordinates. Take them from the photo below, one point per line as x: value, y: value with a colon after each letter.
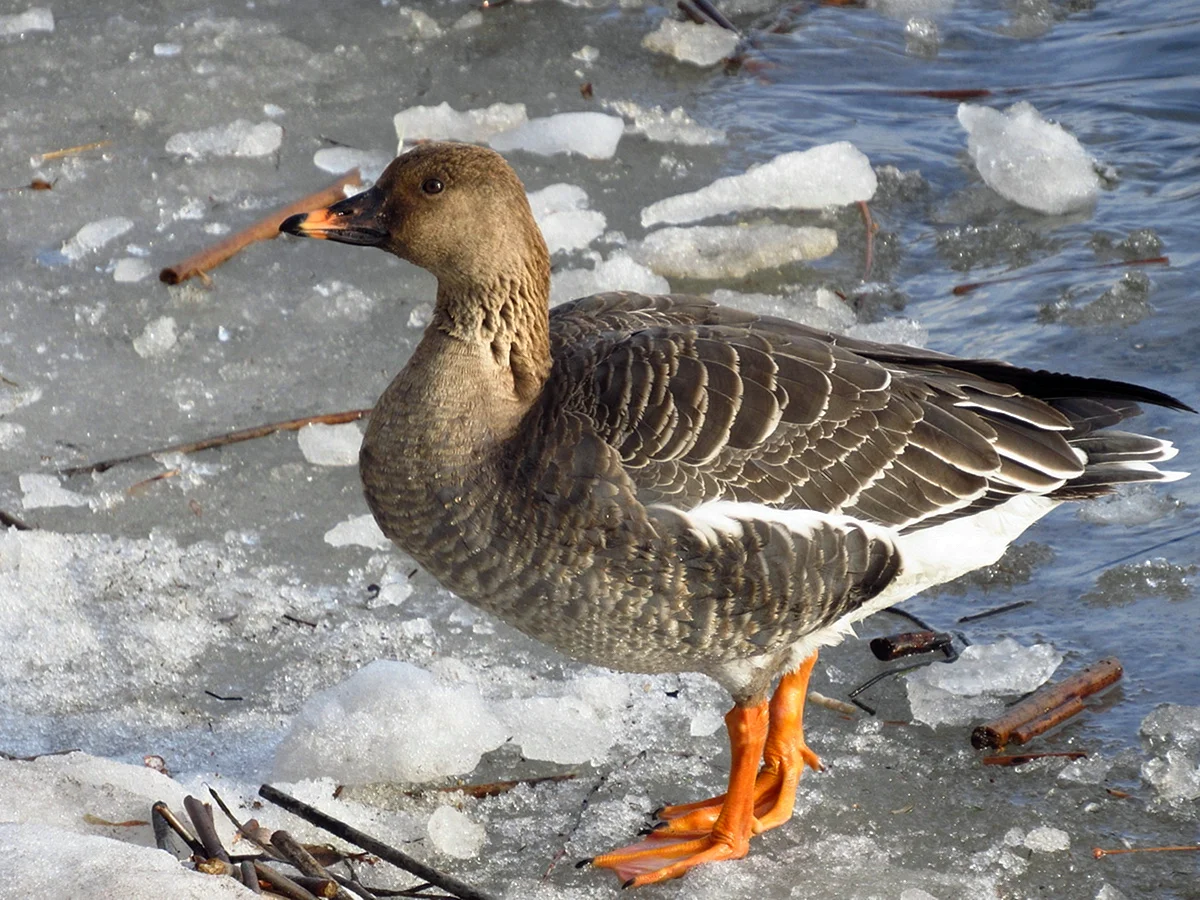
x: 1030, y: 161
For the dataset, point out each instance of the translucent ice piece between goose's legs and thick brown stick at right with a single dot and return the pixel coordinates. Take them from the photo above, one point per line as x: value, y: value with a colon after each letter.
x: 973, y: 686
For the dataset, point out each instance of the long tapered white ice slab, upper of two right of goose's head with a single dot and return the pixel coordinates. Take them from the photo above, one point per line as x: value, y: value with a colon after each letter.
x: 825, y: 176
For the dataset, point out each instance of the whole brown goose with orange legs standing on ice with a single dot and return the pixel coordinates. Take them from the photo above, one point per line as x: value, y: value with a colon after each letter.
x: 661, y: 484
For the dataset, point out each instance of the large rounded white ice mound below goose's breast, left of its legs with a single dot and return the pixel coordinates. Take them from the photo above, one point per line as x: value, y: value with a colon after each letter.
x: 391, y: 722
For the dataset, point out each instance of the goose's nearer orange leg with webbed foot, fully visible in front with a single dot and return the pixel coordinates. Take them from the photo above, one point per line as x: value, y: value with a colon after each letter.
x: 664, y: 856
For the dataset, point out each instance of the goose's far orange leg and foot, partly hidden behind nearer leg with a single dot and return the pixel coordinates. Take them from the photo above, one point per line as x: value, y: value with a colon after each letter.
x: 785, y: 757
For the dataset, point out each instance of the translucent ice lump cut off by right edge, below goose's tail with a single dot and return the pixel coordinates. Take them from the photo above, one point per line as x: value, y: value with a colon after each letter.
x: 1172, y: 735
